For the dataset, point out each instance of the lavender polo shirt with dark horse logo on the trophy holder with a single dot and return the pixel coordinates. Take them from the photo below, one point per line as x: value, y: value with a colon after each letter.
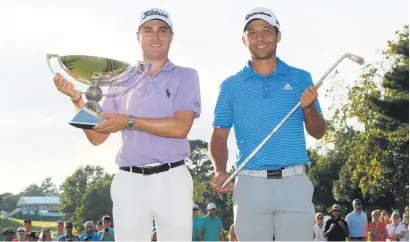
x: 172, y: 89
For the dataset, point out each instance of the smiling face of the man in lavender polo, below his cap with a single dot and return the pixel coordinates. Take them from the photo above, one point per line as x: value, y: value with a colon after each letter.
x: 155, y: 37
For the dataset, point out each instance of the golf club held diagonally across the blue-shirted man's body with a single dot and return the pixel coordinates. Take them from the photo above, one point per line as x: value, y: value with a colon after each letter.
x: 359, y: 60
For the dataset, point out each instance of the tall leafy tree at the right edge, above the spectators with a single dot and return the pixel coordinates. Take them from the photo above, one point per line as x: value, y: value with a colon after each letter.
x: 375, y: 147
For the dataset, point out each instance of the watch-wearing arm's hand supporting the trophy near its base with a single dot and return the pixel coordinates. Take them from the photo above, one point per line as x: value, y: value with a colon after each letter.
x: 113, y: 122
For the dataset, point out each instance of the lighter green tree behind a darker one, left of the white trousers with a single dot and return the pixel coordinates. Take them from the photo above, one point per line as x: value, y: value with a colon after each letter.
x: 76, y: 185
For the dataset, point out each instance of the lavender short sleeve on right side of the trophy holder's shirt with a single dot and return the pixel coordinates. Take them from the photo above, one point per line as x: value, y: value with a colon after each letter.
x: 188, y: 95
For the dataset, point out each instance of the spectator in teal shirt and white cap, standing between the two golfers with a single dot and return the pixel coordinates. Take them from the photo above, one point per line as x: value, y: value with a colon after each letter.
x: 210, y: 226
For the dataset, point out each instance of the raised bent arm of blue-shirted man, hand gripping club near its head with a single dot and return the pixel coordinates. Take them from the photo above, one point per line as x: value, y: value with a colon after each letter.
x: 315, y: 123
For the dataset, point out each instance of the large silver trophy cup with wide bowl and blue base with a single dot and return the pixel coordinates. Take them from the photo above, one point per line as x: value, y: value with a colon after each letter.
x: 97, y: 72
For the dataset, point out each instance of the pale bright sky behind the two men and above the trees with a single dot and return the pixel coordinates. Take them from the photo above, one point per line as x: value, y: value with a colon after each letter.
x: 35, y: 139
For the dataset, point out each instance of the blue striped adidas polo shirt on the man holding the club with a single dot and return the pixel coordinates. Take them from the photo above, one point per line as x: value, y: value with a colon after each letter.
x: 254, y: 104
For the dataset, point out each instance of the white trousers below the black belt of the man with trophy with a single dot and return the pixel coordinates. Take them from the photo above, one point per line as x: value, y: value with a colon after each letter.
x: 166, y: 196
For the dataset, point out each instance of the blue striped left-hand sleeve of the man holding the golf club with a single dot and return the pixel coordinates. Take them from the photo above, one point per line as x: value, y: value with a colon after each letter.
x: 223, y: 113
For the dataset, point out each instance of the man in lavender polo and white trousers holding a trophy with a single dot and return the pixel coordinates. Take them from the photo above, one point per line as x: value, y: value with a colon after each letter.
x: 153, y: 180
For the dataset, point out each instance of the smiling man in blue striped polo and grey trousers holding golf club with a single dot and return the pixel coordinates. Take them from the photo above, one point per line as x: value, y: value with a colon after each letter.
x: 272, y: 192
